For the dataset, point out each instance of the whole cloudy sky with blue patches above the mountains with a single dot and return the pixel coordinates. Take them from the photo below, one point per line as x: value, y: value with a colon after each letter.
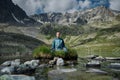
x: 43, y: 6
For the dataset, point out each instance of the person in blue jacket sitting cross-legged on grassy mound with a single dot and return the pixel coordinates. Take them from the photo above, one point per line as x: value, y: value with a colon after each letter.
x: 58, y: 43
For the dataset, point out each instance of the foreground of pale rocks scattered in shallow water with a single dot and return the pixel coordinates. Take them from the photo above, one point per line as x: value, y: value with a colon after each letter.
x: 93, y: 65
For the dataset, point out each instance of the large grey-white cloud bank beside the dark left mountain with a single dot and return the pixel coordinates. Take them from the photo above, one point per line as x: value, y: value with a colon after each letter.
x: 32, y: 6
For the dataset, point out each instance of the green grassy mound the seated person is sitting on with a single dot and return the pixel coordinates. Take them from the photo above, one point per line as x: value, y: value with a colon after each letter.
x: 45, y: 52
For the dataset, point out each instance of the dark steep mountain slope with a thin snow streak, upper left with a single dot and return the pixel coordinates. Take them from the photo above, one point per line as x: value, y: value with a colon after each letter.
x: 11, y: 13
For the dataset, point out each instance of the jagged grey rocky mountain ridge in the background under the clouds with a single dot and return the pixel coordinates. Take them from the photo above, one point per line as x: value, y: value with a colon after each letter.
x: 98, y: 14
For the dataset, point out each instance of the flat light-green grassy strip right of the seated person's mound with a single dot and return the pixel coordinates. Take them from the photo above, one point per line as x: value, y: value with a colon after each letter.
x: 102, y: 50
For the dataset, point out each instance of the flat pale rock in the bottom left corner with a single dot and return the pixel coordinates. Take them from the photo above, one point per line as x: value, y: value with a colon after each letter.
x: 16, y: 77
